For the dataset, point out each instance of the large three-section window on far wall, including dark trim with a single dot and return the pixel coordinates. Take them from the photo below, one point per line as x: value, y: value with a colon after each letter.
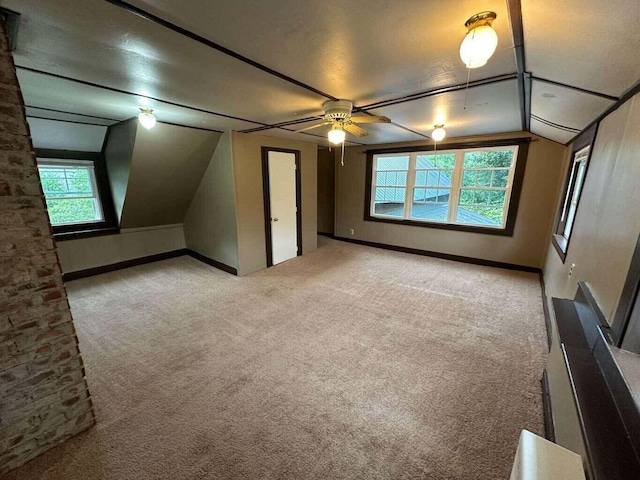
x: 463, y: 188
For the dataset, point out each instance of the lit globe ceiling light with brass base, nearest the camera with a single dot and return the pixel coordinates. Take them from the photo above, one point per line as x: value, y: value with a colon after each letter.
x: 481, y: 40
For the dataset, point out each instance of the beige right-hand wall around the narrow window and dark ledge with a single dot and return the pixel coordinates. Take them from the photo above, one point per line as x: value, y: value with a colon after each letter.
x: 604, y: 236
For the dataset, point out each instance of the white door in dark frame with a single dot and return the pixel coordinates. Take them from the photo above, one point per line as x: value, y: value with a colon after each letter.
x: 282, y: 191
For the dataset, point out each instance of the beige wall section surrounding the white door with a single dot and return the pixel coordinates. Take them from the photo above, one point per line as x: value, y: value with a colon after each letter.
x: 247, y: 155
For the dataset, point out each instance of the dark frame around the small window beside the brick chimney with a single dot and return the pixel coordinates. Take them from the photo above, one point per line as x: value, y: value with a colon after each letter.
x: 108, y: 225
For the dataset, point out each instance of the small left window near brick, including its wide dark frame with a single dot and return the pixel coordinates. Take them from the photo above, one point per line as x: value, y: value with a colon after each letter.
x: 76, y: 193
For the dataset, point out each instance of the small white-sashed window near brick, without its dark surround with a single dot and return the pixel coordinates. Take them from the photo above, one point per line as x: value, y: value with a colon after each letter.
x: 71, y: 191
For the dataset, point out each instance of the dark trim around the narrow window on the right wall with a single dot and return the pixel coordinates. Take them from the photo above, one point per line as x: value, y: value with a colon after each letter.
x: 559, y: 242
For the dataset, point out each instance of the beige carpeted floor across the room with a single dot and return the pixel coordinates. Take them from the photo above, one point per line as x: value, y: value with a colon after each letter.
x: 349, y: 362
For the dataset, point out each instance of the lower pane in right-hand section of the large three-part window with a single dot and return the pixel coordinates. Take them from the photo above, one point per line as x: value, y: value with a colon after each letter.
x: 481, y: 207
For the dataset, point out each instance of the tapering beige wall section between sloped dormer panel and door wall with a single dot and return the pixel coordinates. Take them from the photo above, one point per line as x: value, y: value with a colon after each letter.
x: 210, y: 226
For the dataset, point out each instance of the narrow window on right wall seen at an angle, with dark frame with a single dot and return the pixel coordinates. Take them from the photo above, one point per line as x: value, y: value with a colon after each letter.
x: 577, y: 174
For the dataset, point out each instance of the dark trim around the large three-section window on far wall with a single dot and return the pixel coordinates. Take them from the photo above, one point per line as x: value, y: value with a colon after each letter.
x: 513, y: 202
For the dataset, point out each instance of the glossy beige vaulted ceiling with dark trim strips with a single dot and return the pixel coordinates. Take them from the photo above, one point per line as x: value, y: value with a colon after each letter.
x: 268, y: 66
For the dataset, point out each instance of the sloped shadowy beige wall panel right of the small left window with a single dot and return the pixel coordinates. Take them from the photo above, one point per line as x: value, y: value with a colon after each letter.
x: 166, y: 168
